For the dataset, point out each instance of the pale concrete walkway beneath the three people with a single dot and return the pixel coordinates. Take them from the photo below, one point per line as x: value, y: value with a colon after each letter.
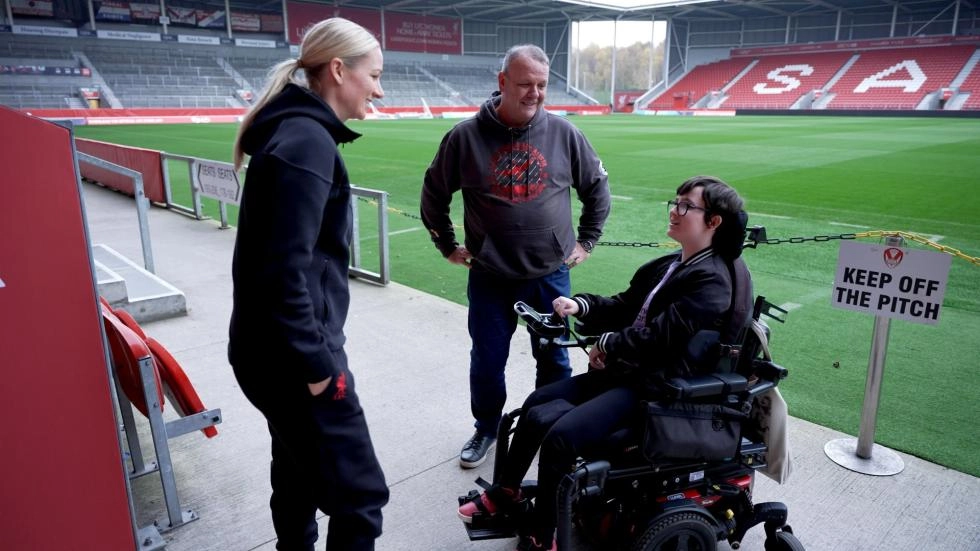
x: 409, y: 352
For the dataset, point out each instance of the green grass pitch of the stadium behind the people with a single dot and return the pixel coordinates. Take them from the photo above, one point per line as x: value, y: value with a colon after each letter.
x: 801, y: 176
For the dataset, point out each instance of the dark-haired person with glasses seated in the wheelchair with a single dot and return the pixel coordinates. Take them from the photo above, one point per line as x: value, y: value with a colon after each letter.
x: 644, y: 332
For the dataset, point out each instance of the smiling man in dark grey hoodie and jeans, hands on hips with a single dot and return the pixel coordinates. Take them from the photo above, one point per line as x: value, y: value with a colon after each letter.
x: 515, y: 165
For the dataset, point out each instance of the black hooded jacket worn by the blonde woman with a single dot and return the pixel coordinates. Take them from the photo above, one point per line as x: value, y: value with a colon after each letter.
x: 291, y: 257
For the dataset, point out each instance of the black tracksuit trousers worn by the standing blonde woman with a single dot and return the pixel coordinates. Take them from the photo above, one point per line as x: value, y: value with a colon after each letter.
x: 322, y: 458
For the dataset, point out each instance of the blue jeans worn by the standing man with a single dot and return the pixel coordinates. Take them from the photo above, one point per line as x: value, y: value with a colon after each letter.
x: 492, y: 323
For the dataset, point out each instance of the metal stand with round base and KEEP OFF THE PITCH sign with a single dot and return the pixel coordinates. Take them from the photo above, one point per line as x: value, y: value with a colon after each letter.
x: 889, y: 282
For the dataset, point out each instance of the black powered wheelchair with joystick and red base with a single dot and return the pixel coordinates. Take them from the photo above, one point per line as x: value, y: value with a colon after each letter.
x: 625, y: 499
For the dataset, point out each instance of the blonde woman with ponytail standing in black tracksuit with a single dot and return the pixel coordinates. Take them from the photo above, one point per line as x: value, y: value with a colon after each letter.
x: 290, y: 289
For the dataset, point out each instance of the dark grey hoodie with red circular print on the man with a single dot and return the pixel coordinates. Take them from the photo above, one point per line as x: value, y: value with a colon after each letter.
x: 516, y: 185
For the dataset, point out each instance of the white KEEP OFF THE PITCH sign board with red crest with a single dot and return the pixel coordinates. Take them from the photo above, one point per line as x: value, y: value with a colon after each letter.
x: 893, y: 282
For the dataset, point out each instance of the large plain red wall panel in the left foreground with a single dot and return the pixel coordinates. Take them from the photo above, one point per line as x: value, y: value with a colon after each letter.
x: 63, y: 473
